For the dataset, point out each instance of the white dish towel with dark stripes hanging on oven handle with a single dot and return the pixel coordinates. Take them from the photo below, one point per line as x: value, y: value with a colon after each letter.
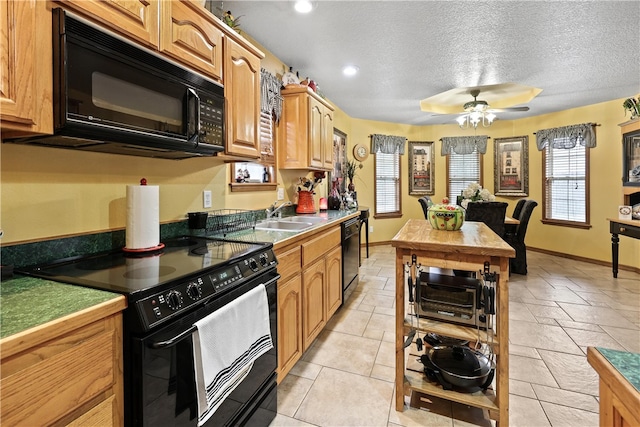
x: 225, y: 345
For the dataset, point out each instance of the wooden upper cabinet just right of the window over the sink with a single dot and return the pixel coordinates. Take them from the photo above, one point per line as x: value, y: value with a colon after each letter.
x: 305, y: 137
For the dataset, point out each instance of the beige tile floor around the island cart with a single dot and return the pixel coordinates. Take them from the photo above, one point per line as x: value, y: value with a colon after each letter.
x: 556, y: 311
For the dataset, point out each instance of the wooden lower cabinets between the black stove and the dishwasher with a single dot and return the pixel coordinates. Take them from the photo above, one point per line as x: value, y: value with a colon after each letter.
x: 309, y: 292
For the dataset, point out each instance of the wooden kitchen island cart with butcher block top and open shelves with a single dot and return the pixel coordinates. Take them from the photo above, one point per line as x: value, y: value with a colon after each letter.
x: 467, y: 249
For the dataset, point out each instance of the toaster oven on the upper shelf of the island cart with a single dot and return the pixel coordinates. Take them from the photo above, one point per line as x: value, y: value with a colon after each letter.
x: 450, y: 298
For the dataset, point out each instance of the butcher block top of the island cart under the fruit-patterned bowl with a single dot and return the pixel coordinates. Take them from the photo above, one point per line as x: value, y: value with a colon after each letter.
x: 473, y: 238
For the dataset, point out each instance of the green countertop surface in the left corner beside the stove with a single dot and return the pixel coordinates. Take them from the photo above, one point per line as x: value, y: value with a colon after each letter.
x: 26, y: 302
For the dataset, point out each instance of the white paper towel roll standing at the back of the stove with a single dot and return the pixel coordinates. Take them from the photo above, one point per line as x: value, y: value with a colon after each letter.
x: 143, y: 218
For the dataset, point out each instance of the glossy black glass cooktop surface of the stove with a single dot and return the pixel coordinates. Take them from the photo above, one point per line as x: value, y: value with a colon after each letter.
x: 130, y: 273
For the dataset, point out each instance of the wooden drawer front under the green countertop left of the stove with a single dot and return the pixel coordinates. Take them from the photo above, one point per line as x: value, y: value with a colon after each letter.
x: 42, y: 392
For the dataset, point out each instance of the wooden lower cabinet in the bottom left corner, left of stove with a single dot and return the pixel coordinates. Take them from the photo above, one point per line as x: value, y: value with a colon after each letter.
x: 56, y: 375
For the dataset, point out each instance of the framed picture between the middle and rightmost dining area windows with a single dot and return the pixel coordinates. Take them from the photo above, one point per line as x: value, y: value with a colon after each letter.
x: 511, y: 166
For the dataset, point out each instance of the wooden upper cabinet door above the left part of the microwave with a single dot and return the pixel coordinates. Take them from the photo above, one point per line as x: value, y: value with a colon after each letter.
x: 135, y: 19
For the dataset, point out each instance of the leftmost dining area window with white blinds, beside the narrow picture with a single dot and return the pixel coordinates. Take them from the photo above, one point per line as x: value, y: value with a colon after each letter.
x: 387, y: 184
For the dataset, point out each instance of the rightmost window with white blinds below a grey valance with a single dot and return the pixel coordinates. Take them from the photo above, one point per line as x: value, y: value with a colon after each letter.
x: 566, y: 184
